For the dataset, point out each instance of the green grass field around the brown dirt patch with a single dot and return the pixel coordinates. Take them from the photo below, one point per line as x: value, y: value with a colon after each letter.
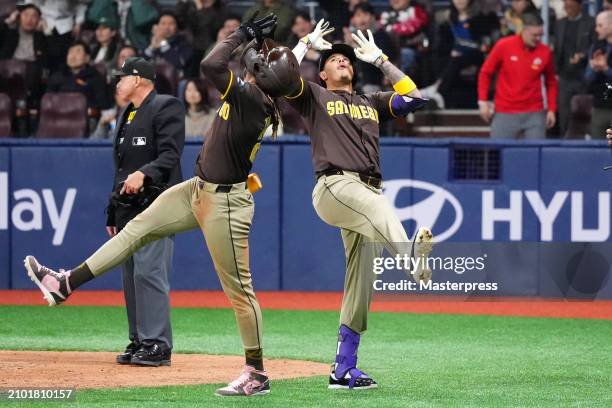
x: 418, y: 360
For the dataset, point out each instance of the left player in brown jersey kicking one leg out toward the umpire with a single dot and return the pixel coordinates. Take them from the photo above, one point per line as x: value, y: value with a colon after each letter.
x: 215, y: 200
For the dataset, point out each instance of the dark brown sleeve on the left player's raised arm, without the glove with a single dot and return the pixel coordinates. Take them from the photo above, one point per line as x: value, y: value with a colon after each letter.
x: 215, y: 65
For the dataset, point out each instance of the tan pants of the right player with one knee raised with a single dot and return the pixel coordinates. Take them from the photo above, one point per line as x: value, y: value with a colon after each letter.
x: 368, y: 223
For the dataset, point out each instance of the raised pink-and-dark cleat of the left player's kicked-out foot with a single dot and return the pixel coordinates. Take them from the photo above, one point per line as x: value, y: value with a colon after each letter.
x: 55, y: 286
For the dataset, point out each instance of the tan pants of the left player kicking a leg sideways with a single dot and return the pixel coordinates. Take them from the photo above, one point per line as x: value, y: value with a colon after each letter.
x: 225, y: 220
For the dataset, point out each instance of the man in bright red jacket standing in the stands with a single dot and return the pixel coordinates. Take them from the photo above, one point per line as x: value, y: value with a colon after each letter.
x: 519, y: 61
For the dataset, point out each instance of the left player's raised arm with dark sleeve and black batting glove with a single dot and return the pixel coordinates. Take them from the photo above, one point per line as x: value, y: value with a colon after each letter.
x: 215, y: 65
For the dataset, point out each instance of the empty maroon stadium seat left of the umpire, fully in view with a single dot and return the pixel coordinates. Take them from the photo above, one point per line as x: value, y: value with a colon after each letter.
x: 63, y: 115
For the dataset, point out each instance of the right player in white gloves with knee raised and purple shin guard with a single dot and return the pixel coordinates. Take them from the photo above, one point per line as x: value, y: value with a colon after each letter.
x: 343, y: 128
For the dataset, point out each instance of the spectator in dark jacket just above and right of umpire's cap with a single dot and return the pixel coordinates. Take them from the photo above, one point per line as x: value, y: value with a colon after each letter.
x: 166, y: 45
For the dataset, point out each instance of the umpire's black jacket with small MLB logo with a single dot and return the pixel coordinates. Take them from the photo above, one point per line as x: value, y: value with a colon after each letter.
x: 149, y: 138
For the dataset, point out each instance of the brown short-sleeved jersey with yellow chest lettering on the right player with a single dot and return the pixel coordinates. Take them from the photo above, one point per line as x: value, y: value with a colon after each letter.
x: 343, y: 127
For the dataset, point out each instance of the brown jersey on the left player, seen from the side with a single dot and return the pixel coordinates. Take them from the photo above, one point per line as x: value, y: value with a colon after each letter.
x: 236, y: 133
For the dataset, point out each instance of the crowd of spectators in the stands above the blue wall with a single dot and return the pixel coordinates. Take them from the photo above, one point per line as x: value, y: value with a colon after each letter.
x: 71, y: 46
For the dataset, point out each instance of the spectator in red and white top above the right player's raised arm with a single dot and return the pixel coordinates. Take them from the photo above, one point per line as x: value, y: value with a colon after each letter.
x: 407, y: 21
